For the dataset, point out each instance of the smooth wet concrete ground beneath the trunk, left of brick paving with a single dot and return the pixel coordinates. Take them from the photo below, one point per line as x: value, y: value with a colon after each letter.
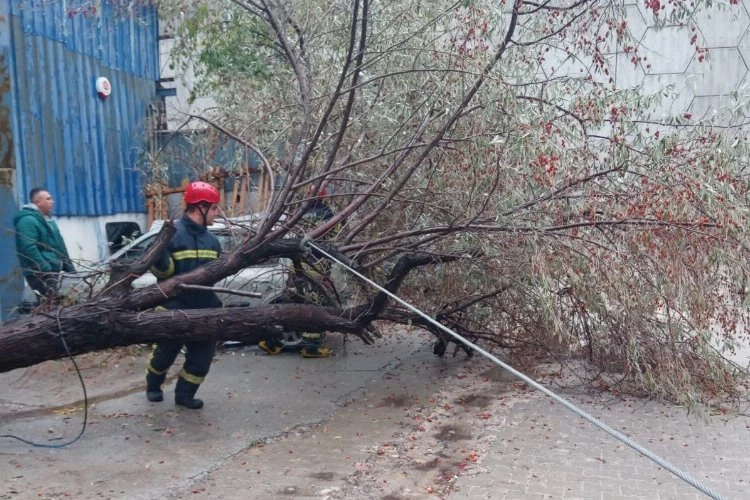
x: 136, y: 449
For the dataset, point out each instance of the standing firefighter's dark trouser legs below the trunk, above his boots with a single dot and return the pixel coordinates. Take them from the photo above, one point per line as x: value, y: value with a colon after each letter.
x: 198, y: 358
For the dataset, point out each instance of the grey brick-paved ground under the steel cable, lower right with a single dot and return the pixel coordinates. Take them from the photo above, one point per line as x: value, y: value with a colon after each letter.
x: 542, y: 451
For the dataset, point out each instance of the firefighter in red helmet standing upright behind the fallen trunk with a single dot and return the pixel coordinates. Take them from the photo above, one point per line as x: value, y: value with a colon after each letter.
x: 191, y: 246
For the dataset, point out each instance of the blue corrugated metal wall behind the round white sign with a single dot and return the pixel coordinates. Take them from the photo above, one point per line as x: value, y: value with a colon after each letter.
x: 83, y: 149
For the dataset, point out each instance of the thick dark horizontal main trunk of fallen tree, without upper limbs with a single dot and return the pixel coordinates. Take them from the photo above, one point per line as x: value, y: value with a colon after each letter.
x: 80, y: 329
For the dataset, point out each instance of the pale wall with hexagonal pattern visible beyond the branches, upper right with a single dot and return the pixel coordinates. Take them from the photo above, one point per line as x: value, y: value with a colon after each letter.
x: 712, y: 86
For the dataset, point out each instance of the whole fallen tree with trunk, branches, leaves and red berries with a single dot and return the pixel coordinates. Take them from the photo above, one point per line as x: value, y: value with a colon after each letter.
x: 474, y: 170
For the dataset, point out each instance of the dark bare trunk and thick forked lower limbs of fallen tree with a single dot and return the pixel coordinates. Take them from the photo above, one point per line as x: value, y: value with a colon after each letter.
x: 119, y: 316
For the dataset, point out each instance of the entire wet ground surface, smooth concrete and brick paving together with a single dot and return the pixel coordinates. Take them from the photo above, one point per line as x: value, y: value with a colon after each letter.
x: 389, y: 421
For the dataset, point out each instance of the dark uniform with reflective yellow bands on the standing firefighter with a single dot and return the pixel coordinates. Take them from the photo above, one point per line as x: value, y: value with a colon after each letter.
x: 192, y: 246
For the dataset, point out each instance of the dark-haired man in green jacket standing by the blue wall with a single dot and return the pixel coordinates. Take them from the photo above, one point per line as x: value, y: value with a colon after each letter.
x: 39, y: 244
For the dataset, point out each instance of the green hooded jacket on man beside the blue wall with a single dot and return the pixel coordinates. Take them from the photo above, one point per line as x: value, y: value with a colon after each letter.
x: 39, y: 244
